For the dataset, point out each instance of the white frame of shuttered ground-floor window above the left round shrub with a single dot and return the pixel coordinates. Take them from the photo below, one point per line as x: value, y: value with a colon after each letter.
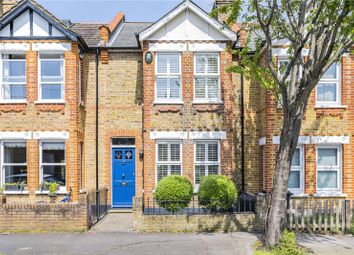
x: 168, y: 163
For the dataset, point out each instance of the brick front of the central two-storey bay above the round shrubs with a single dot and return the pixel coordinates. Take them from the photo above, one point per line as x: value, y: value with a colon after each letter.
x: 190, y: 117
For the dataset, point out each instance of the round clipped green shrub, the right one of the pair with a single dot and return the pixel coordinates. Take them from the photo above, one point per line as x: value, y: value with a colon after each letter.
x: 217, y: 192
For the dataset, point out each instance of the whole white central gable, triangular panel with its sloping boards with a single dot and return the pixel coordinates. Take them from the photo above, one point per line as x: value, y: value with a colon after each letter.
x: 187, y: 22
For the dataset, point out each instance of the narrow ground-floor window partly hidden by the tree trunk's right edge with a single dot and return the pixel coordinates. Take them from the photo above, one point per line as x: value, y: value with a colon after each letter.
x: 296, y: 178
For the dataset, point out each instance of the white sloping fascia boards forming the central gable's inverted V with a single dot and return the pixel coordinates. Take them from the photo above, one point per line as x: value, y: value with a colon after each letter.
x: 156, y: 26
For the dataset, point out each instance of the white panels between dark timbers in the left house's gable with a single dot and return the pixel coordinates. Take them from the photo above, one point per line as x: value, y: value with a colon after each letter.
x: 22, y: 26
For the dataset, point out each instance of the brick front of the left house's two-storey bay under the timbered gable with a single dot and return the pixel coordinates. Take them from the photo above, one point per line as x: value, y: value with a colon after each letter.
x: 33, y: 116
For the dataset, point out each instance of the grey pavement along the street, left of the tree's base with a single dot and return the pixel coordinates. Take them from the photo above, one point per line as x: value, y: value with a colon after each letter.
x: 102, y: 243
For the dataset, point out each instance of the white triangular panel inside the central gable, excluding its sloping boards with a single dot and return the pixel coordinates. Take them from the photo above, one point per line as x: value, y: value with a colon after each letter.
x: 187, y: 26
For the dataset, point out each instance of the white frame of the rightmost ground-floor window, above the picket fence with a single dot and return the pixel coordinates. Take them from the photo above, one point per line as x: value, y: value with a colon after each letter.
x: 338, y: 168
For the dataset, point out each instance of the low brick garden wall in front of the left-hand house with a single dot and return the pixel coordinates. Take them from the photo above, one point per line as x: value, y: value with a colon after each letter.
x: 44, y: 217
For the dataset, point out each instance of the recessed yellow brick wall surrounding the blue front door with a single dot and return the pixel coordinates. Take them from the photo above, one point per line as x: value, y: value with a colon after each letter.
x: 120, y: 112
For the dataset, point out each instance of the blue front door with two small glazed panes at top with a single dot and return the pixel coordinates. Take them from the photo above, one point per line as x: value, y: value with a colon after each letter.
x: 123, y: 177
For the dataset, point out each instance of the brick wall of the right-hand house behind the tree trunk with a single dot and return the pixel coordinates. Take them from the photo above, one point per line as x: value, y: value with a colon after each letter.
x: 317, y: 122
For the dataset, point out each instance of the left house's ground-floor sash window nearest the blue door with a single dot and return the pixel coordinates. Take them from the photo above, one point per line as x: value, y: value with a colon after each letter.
x: 52, y: 164
